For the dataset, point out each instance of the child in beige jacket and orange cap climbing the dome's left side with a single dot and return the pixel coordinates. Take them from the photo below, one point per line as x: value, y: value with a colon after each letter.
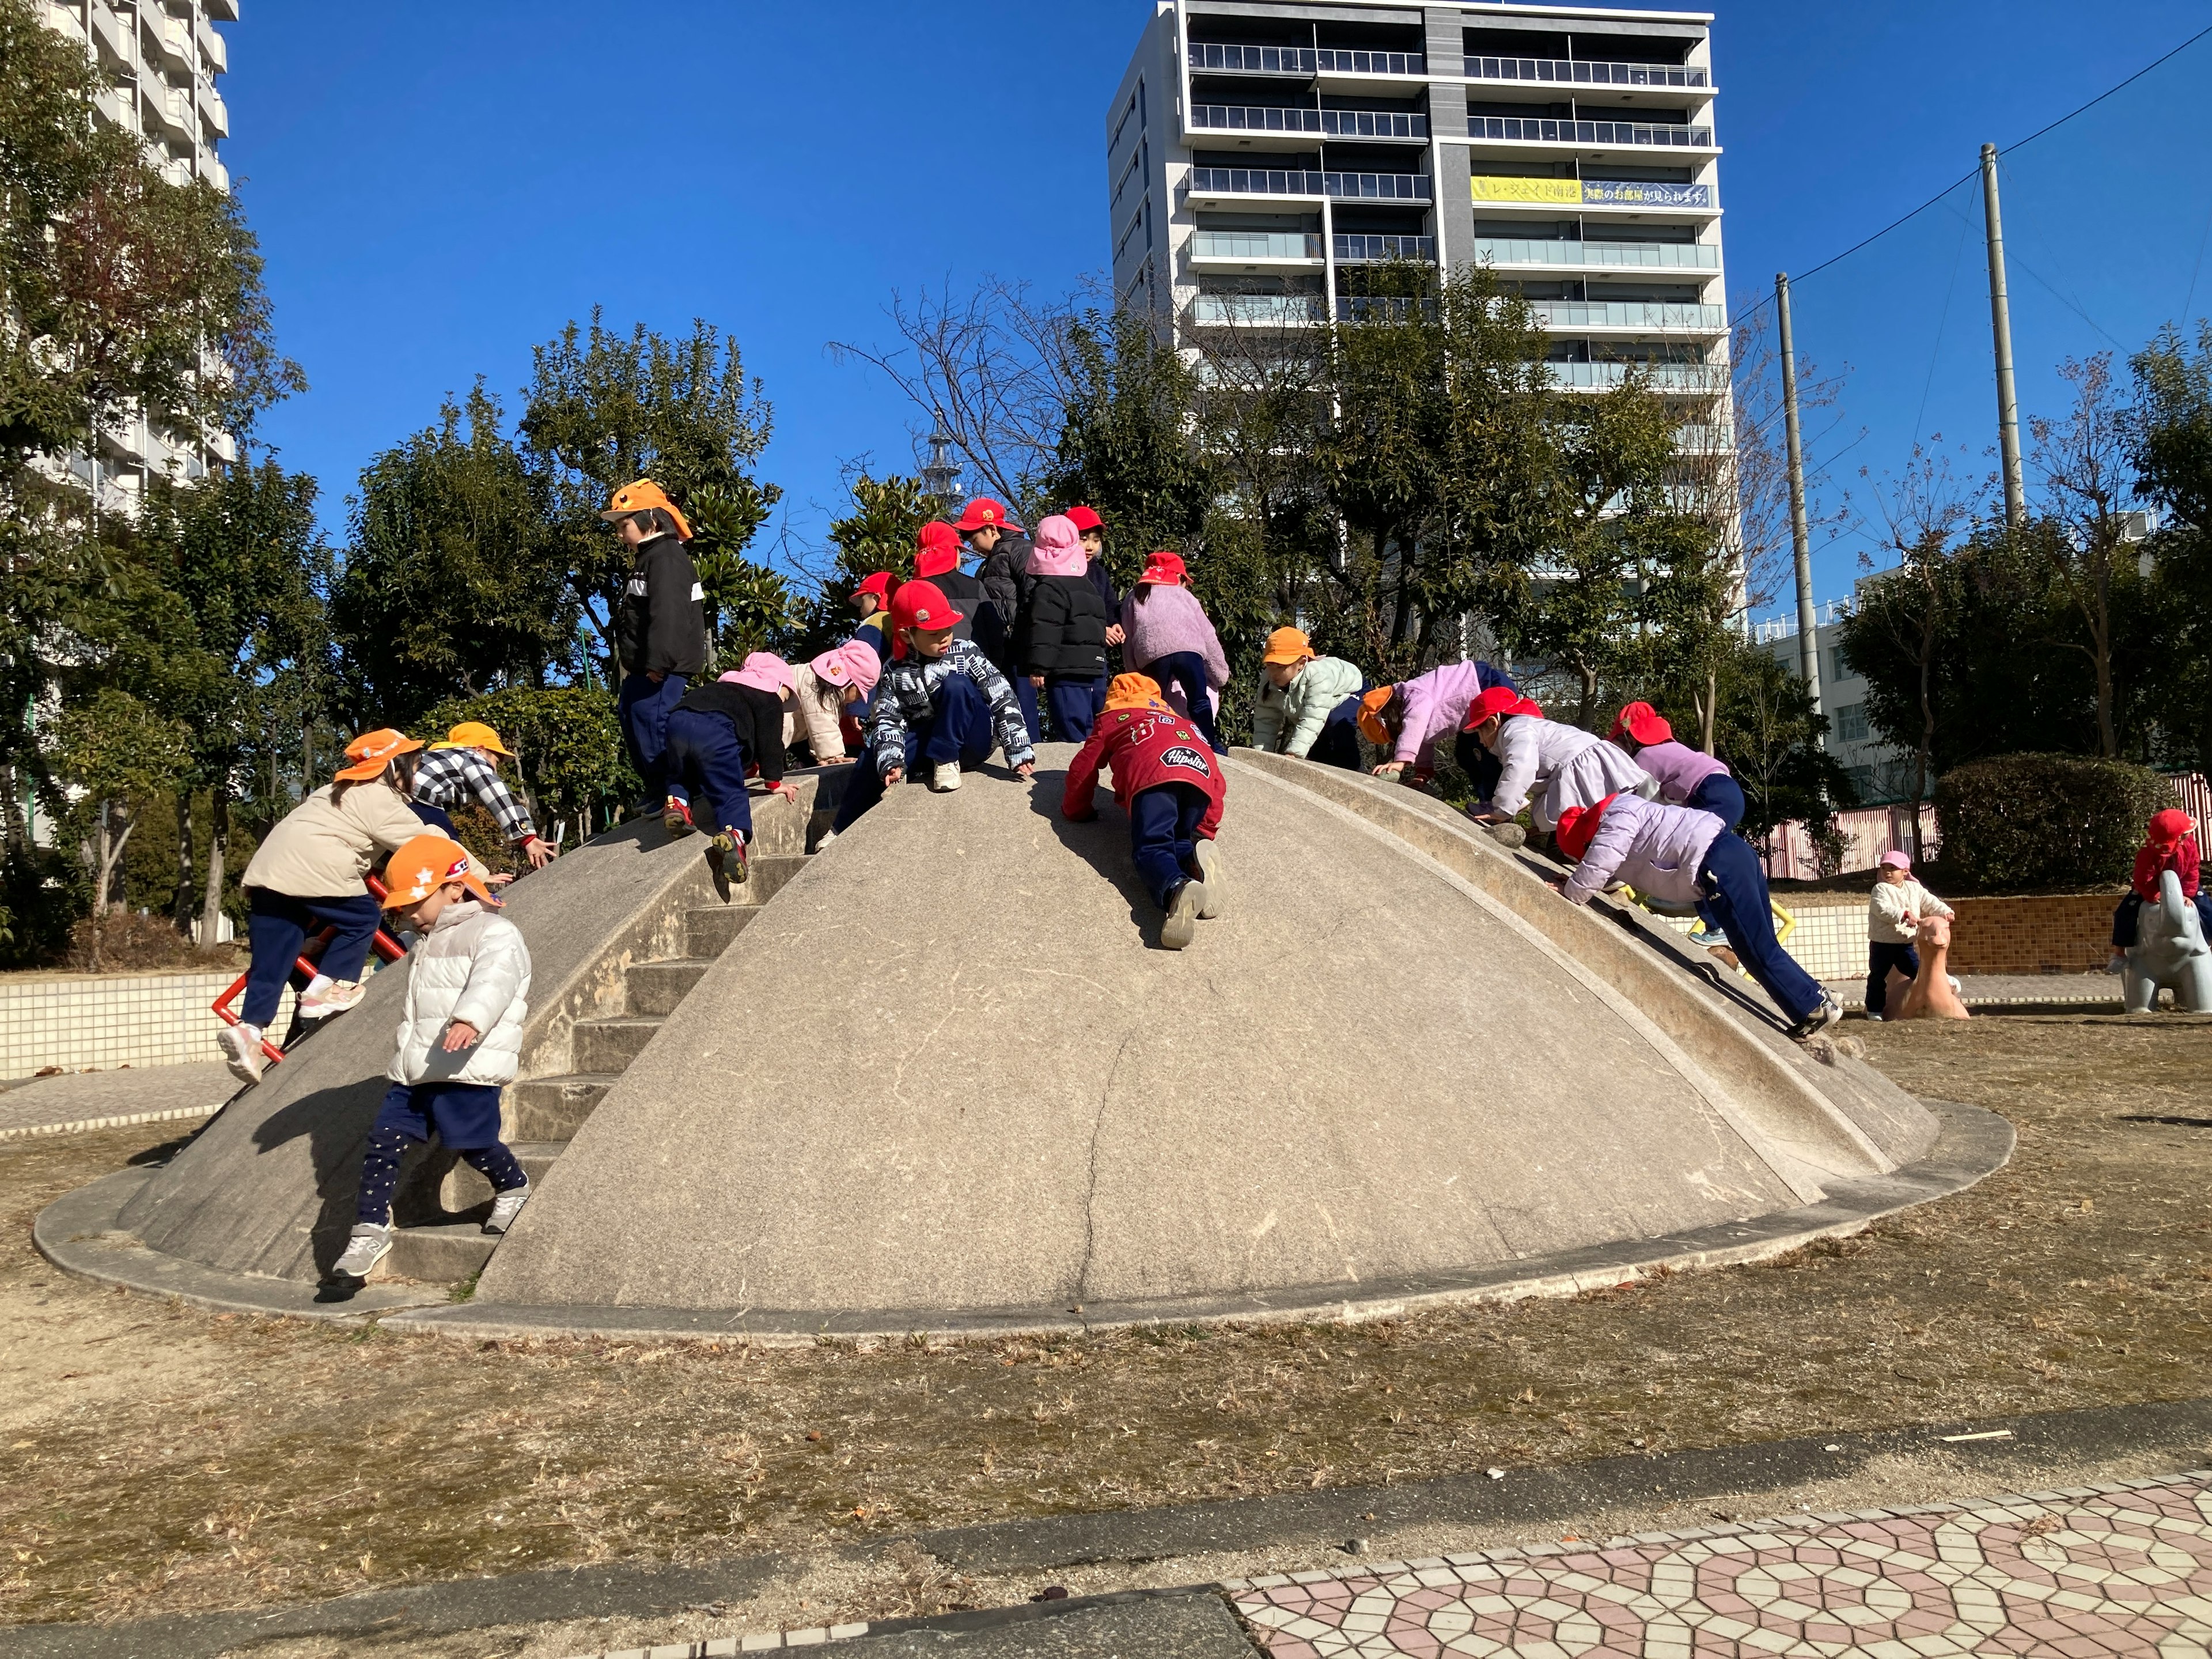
x: 311, y: 870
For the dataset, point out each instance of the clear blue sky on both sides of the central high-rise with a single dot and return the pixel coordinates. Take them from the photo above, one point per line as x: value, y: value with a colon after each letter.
x: 441, y: 189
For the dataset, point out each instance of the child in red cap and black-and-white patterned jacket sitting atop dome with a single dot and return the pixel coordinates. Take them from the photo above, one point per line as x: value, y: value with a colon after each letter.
x: 941, y: 702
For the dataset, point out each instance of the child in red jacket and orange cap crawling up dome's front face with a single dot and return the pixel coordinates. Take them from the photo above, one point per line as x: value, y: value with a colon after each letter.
x: 1169, y: 782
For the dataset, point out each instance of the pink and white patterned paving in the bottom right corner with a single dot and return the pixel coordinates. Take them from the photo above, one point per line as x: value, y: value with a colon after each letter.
x: 2076, y: 1574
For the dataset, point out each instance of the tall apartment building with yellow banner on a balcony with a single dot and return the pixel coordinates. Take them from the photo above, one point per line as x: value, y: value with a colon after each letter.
x: 1264, y: 152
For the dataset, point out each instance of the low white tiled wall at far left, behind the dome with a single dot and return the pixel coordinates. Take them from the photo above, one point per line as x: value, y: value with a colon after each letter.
x: 105, y: 1021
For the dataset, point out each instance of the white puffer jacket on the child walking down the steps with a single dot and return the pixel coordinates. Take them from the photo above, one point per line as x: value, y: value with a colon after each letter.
x: 472, y: 968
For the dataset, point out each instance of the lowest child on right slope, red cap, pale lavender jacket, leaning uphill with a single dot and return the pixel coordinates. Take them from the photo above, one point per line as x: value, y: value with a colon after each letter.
x: 1682, y: 855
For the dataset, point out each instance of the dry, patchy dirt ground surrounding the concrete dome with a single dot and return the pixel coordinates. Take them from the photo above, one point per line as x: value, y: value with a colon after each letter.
x: 163, y: 1459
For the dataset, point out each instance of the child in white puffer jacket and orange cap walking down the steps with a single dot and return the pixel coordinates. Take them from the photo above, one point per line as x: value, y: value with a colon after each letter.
x: 459, y: 1043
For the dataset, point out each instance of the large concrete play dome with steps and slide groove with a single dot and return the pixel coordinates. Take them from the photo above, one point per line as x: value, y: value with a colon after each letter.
x: 943, y: 1081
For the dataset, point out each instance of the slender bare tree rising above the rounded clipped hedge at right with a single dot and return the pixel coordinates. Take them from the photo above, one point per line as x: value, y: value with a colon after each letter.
x: 2087, y: 492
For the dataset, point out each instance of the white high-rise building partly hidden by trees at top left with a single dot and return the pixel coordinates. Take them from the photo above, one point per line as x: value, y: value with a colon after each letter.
x: 156, y: 63
